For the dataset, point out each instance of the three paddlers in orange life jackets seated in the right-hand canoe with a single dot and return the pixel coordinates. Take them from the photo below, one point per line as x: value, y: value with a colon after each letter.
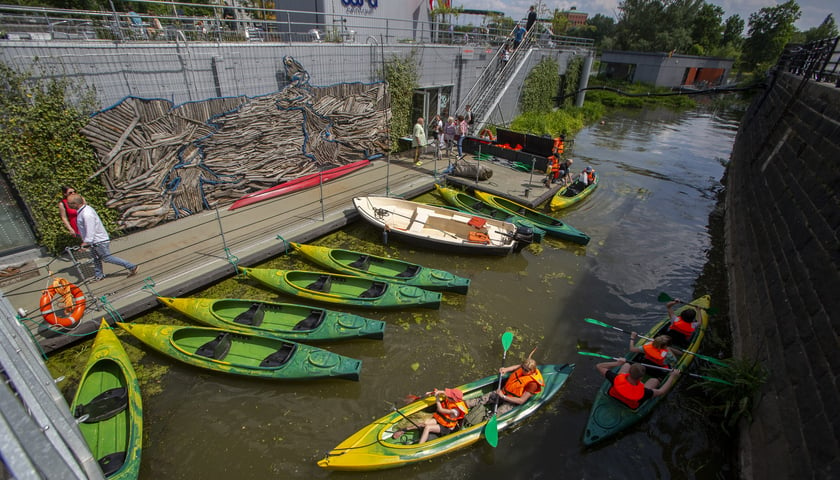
x: 627, y: 384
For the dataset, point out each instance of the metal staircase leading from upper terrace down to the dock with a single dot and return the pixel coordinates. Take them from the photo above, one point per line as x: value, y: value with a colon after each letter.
x: 491, y: 85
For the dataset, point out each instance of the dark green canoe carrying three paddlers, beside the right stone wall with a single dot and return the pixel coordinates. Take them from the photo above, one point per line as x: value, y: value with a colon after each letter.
x: 609, y: 416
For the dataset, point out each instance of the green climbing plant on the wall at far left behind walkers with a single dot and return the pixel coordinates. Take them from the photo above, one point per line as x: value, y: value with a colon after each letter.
x: 41, y: 149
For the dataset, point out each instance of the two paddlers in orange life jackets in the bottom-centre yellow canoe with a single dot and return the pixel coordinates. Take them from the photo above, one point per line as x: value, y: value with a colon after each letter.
x: 524, y: 381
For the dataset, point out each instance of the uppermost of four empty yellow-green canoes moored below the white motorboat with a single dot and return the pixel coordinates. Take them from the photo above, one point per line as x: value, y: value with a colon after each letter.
x: 383, y: 268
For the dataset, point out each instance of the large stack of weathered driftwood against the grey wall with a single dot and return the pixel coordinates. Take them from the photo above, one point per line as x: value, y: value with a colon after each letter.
x: 161, y: 162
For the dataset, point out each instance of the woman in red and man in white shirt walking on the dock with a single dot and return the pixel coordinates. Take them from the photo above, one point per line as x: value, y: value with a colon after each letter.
x: 82, y: 221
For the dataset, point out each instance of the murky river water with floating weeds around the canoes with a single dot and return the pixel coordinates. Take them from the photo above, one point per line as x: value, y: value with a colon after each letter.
x: 659, y: 175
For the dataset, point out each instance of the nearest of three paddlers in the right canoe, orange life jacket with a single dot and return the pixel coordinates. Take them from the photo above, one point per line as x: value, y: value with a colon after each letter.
x: 627, y: 386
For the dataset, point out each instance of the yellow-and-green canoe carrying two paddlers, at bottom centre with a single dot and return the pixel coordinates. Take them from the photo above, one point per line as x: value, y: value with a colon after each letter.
x: 374, y: 448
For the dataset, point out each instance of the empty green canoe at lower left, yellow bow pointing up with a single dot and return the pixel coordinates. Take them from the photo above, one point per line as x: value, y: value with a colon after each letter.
x: 108, y: 400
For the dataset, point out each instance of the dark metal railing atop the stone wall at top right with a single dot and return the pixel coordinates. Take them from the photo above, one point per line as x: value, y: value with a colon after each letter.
x: 818, y: 60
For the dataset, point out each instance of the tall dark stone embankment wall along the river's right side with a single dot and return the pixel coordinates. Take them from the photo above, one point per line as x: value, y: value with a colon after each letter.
x: 783, y: 256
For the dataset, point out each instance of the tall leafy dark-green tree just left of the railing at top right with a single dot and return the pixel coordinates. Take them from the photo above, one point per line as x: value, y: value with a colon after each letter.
x: 770, y: 29
